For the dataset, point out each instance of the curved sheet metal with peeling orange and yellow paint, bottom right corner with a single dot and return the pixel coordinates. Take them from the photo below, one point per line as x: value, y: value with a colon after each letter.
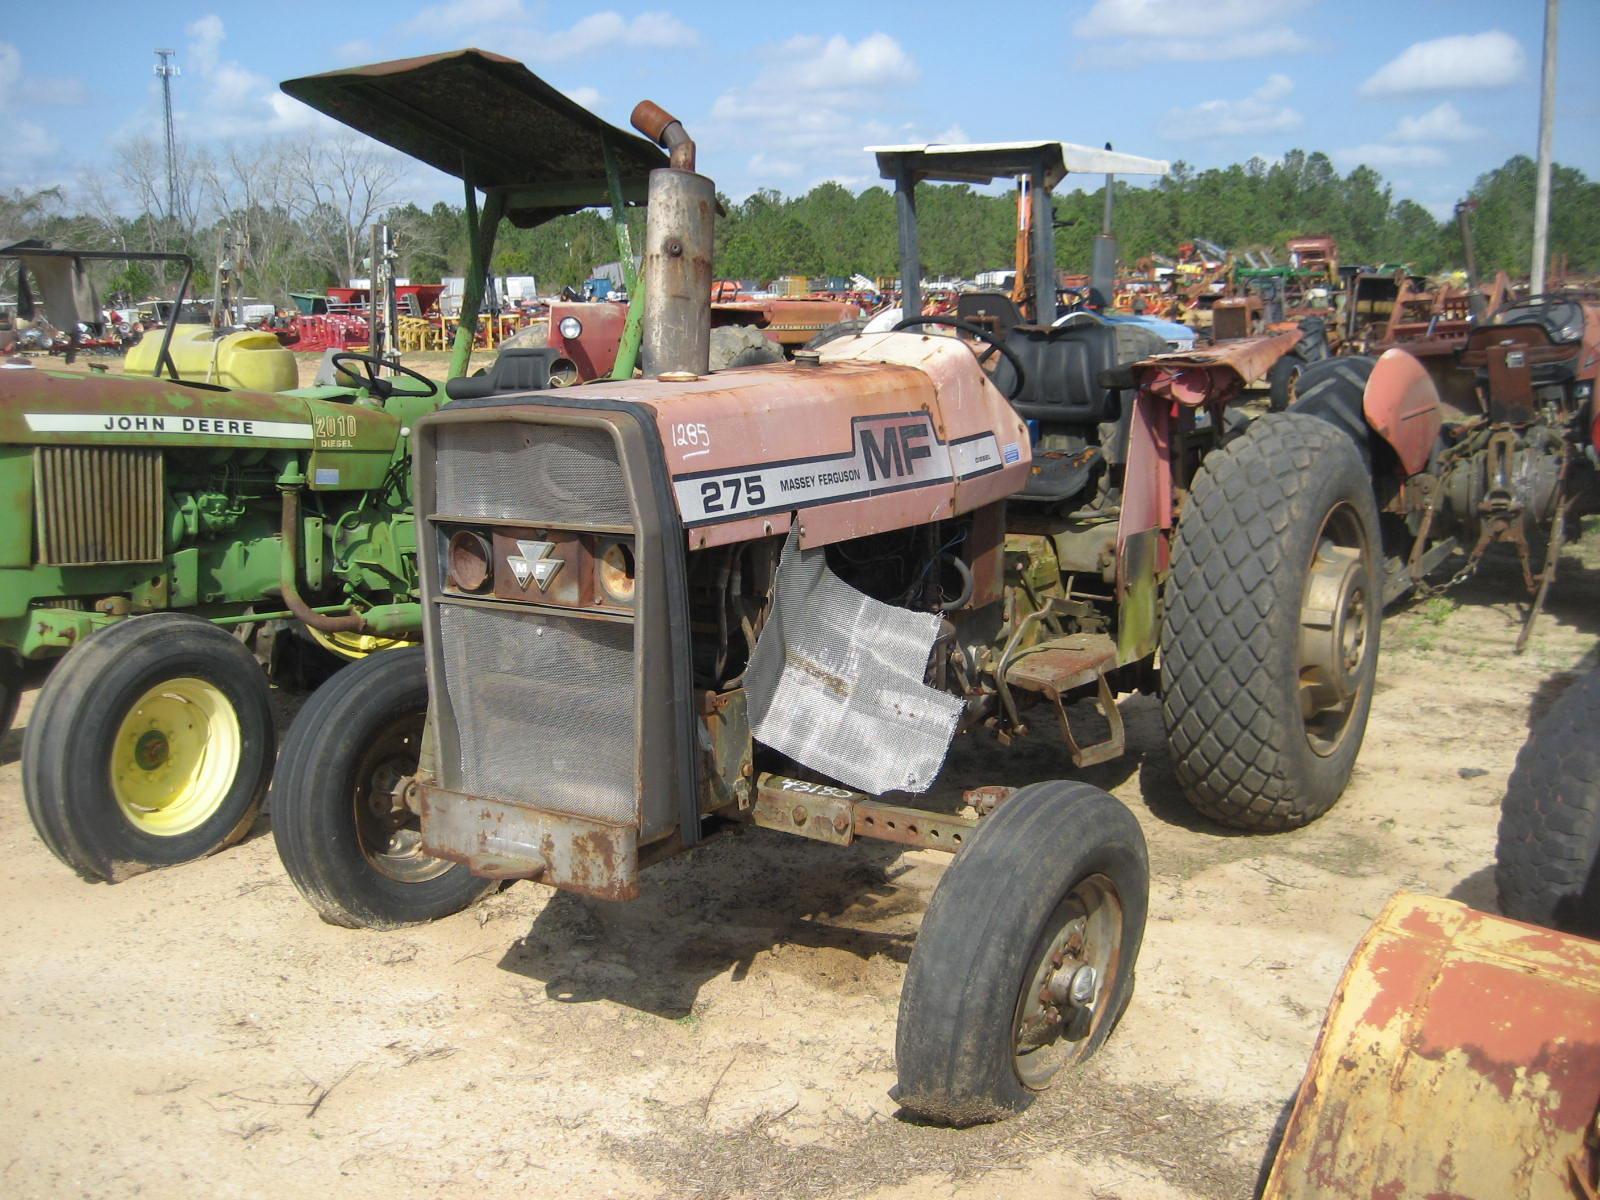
x: 1460, y: 1058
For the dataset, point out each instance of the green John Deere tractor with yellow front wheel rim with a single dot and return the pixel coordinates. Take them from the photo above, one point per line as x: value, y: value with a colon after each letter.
x: 166, y: 527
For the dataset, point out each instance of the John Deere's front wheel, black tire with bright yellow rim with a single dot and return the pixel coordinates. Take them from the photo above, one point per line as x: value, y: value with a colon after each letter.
x: 151, y: 745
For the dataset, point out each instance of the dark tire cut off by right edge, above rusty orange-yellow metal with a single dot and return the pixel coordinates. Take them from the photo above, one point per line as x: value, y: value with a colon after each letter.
x: 1550, y: 834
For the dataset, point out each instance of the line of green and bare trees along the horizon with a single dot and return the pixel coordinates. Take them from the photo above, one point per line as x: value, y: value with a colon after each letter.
x: 303, y: 210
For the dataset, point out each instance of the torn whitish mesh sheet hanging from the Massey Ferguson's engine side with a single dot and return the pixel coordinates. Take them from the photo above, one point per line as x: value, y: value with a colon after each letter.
x: 838, y: 682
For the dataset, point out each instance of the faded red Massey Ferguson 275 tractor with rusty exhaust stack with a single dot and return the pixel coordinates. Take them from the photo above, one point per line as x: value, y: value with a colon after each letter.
x: 660, y: 607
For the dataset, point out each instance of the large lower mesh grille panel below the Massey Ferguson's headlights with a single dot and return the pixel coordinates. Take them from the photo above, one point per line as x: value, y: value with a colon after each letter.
x: 545, y: 710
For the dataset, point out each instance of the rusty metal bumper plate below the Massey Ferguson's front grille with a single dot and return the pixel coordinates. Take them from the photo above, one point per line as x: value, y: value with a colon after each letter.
x: 505, y: 841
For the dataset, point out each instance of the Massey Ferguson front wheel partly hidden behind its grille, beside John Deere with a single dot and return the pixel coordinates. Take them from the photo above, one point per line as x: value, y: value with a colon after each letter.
x: 356, y: 858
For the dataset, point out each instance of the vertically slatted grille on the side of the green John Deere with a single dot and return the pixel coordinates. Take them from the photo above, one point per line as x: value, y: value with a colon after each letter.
x: 98, y: 505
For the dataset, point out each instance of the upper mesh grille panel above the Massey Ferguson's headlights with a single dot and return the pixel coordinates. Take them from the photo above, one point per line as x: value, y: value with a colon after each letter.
x: 527, y: 473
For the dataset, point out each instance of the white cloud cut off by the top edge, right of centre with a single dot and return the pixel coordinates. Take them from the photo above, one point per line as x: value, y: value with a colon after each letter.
x: 1166, y: 30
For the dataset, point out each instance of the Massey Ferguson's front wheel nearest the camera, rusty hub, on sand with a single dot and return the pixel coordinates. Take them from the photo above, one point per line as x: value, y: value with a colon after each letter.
x: 1058, y: 870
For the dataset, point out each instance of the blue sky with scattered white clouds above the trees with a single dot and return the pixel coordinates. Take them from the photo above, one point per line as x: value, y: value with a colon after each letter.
x: 1430, y: 92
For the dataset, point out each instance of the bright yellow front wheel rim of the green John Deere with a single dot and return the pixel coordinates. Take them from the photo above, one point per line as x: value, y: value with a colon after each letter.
x: 175, y: 758
